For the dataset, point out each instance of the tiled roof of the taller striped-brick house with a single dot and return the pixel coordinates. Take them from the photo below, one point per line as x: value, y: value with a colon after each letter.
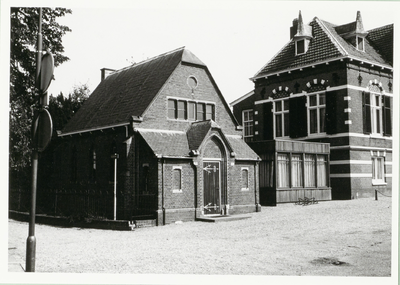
x: 325, y: 45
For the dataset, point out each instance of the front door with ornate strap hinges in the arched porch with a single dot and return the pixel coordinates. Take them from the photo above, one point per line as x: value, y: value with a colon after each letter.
x: 212, y: 194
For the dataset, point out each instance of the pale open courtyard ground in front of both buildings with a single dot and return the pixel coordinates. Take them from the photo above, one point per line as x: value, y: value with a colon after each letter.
x: 336, y: 238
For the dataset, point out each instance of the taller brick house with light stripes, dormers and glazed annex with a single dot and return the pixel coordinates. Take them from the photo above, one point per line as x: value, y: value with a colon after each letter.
x: 320, y: 114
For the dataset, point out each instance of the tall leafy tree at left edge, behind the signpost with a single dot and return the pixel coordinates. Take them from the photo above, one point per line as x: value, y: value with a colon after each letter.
x: 24, y: 30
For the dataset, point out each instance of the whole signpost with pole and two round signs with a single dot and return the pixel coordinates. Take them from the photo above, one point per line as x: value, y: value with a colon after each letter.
x: 42, y: 129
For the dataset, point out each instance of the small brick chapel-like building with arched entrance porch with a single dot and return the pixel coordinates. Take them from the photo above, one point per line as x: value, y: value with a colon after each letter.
x: 155, y: 139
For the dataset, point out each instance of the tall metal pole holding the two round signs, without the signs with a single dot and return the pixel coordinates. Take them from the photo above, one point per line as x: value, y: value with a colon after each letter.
x: 31, y: 240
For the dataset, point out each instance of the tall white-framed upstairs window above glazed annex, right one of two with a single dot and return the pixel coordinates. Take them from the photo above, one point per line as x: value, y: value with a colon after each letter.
x: 316, y: 113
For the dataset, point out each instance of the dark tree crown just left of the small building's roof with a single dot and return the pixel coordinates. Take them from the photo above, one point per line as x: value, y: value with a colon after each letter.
x: 63, y: 108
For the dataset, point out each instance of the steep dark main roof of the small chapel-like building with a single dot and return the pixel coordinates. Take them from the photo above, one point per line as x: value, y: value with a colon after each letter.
x: 128, y: 92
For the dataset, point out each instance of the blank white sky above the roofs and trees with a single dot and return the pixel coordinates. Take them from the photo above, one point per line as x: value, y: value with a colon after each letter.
x: 234, y: 39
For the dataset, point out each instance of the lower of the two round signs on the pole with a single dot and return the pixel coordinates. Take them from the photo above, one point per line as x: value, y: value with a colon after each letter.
x: 42, y: 130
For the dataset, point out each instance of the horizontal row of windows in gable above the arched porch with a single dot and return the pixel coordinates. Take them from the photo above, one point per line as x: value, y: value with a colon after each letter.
x: 189, y: 110
